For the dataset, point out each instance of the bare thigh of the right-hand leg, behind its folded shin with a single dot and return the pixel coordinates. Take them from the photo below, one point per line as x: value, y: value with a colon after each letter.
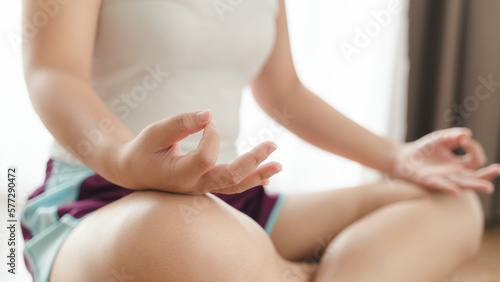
x: 315, y: 219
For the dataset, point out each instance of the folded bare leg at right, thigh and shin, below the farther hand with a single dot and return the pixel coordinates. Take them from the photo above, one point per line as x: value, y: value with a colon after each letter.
x: 380, y: 232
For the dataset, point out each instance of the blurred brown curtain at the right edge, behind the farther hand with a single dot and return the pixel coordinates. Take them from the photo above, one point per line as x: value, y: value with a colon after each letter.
x: 455, y: 75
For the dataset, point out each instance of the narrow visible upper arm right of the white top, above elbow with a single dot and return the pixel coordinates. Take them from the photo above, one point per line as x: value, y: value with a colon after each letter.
x: 278, y: 75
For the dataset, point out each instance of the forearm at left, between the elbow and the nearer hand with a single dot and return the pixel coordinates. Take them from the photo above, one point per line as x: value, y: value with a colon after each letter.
x: 78, y: 119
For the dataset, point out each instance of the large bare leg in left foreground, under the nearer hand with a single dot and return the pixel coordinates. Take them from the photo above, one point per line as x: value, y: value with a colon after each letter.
x: 157, y: 236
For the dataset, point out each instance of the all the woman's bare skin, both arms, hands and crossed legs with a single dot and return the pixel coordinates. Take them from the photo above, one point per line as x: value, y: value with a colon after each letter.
x: 366, y: 232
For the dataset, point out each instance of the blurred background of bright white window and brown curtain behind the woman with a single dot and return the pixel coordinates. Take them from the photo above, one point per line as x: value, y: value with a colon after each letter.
x: 354, y: 54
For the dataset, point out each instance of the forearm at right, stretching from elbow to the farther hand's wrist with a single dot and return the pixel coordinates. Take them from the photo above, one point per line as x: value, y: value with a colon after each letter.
x: 323, y: 126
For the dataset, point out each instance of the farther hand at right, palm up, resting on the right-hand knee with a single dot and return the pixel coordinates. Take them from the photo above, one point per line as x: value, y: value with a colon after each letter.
x: 430, y: 161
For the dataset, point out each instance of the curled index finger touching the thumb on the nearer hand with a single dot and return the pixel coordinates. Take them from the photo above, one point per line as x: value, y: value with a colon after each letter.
x: 196, y: 163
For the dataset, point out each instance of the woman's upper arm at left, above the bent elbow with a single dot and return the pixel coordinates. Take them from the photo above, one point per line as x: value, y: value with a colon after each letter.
x: 60, y: 36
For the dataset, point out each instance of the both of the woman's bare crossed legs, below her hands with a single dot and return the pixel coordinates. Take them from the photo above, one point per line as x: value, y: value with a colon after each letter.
x: 367, y: 233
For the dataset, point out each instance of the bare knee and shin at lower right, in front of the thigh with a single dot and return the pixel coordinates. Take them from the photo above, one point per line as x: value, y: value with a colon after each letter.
x: 436, y: 228
